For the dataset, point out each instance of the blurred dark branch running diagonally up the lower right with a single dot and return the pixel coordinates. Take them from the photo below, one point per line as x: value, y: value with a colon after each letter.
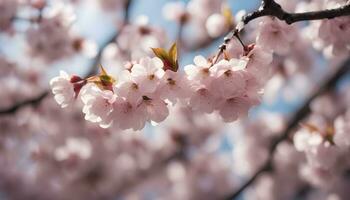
x: 301, y: 113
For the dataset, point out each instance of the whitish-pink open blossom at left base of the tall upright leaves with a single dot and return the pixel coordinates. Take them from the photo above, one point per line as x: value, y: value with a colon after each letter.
x: 147, y: 74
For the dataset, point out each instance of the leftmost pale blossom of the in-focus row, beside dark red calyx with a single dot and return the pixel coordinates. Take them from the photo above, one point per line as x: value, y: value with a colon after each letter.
x: 62, y: 89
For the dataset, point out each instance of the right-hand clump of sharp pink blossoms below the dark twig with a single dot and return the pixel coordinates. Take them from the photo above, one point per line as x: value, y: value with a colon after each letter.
x: 226, y: 87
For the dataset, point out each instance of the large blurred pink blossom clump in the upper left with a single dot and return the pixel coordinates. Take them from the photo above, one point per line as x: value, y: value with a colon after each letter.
x: 51, y: 37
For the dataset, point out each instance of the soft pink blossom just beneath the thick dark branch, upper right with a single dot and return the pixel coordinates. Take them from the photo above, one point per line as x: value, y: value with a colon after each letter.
x: 275, y: 35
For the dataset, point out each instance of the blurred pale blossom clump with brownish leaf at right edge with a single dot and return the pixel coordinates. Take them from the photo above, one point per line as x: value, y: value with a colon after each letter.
x: 324, y: 140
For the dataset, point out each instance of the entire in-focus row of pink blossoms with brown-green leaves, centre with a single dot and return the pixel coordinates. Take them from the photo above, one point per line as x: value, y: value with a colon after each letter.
x: 146, y: 89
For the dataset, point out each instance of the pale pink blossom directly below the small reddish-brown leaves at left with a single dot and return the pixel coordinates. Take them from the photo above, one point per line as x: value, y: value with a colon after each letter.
x: 98, y: 105
